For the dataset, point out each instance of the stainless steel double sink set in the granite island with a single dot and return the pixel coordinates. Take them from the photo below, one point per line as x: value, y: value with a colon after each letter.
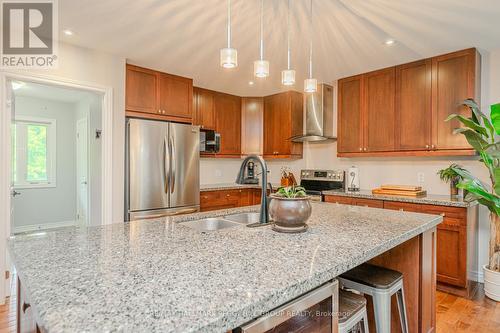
x: 224, y: 222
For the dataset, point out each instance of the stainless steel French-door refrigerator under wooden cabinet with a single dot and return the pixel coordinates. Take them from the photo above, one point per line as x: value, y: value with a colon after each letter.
x: 162, y: 169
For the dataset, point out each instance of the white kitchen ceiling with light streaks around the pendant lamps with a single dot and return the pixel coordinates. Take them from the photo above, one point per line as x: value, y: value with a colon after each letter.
x: 184, y: 37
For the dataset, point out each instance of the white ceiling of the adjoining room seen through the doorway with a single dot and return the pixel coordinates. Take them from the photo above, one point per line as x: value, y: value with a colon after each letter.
x: 49, y: 92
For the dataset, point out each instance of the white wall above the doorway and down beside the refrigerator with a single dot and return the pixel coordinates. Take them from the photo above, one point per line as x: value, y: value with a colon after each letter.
x: 98, y: 68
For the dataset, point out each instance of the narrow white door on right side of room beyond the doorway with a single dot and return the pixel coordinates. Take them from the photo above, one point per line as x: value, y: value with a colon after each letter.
x: 82, y: 205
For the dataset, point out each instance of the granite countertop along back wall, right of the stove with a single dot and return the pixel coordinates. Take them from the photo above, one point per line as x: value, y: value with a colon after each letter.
x: 429, y: 199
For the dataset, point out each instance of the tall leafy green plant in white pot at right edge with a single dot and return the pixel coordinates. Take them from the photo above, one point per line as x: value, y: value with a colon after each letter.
x: 480, y: 132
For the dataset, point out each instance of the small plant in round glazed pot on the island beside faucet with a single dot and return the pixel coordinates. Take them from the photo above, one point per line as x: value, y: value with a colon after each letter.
x: 289, y: 209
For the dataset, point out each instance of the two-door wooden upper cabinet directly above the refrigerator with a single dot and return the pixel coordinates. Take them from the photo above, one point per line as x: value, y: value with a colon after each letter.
x: 152, y: 94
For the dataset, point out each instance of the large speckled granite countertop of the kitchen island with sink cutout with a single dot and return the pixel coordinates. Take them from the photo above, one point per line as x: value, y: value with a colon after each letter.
x: 161, y: 276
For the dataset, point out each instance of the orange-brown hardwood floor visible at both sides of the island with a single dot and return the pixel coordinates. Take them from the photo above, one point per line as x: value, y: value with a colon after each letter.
x: 454, y: 314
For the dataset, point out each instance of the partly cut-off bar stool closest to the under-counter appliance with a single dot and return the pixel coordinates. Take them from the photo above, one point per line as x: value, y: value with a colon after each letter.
x: 352, y: 312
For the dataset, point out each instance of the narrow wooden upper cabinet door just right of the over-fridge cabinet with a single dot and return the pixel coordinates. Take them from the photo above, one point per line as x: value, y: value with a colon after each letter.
x: 204, y: 108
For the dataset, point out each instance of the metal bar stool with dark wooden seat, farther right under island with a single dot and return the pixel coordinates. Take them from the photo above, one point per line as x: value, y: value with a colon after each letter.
x: 380, y: 283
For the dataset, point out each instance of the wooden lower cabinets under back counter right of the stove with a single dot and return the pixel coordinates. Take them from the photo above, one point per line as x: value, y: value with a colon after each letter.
x: 457, y: 235
